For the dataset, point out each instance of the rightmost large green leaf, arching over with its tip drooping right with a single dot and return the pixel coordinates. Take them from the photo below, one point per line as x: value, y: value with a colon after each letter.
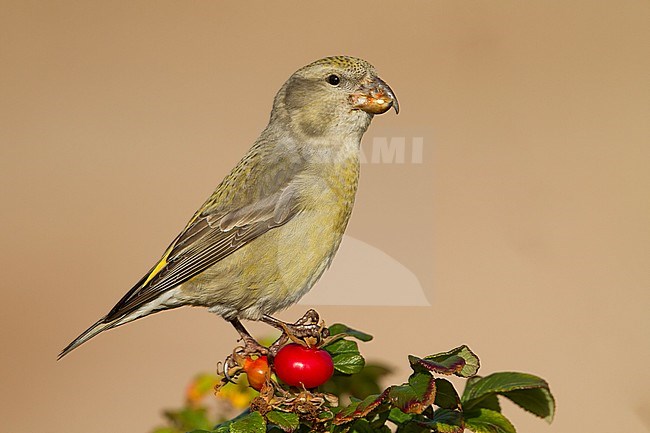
x: 530, y: 392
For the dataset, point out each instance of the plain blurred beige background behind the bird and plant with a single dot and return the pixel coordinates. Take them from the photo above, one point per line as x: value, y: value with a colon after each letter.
x: 527, y: 223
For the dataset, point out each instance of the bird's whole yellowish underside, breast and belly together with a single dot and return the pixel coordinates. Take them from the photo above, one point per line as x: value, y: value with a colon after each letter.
x: 275, y: 270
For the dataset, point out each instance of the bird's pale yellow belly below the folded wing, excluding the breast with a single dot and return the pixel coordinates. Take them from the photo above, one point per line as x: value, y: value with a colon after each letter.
x: 273, y: 271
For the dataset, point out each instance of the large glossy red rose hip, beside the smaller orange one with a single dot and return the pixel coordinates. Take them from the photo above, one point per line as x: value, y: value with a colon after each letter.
x: 309, y: 366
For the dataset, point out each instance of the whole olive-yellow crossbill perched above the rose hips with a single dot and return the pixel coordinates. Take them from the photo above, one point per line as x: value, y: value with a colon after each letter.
x: 273, y: 225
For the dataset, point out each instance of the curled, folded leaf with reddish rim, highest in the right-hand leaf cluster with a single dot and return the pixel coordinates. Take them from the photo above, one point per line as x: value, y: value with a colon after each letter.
x: 460, y: 361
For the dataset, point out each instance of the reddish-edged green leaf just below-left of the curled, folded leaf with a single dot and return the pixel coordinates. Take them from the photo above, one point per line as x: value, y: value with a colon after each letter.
x: 414, y: 396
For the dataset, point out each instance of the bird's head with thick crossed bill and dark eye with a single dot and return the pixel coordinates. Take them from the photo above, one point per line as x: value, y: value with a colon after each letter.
x: 333, y: 95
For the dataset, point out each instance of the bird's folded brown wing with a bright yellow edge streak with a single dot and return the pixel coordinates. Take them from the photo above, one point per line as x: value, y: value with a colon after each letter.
x: 209, y: 237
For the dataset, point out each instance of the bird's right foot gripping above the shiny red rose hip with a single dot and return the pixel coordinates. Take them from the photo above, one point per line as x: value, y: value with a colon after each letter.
x: 308, y: 329
